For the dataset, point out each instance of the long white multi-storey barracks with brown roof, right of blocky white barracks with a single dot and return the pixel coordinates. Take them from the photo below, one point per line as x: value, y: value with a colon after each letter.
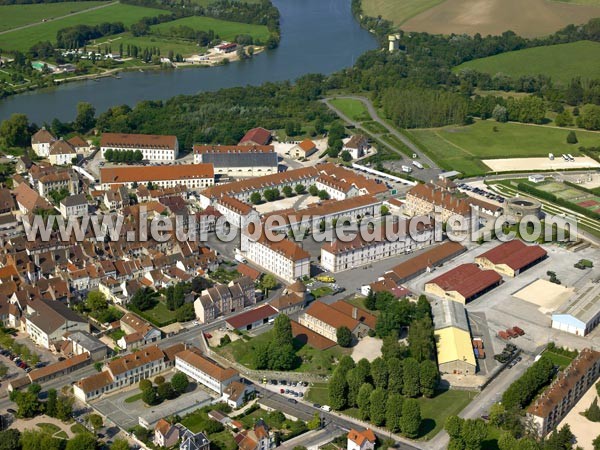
x: 338, y: 256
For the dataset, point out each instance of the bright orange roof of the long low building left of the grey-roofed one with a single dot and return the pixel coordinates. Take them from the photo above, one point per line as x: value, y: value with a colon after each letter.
x: 132, y: 174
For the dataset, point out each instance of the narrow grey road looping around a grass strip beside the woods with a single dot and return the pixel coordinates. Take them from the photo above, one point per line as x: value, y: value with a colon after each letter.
x: 424, y: 175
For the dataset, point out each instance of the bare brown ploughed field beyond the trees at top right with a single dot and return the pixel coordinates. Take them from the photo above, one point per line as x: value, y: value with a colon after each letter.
x: 539, y: 18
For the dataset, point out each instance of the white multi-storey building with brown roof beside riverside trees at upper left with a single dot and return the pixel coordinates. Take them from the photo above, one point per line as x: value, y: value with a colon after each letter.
x: 153, y: 147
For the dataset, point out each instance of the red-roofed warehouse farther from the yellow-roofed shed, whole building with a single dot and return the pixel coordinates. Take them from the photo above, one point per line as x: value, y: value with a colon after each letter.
x: 511, y: 258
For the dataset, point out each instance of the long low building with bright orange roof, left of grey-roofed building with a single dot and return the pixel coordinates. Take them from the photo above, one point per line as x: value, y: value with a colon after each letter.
x: 192, y: 176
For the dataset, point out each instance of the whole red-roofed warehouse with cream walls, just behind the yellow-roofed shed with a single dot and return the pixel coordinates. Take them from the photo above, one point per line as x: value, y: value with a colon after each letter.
x: 463, y: 283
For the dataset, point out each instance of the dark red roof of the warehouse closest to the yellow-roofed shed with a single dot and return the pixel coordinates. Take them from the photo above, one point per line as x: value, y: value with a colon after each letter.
x: 467, y: 279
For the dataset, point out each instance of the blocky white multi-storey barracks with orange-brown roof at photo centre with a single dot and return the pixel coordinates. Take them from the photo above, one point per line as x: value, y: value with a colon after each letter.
x: 284, y: 258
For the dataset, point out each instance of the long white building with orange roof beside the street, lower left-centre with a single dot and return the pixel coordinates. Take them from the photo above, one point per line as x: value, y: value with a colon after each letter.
x: 204, y: 371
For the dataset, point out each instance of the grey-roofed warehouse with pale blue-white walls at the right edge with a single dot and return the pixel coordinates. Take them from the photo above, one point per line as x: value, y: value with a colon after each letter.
x: 581, y: 313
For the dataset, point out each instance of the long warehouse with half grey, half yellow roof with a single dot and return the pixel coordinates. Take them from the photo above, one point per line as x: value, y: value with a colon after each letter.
x: 453, y: 338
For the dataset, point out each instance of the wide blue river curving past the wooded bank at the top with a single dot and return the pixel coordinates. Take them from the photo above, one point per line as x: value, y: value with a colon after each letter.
x: 318, y: 36
